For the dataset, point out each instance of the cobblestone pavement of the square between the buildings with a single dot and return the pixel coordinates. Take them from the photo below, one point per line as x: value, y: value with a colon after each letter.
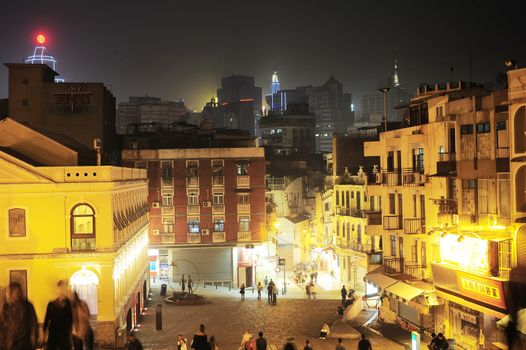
x: 227, y: 318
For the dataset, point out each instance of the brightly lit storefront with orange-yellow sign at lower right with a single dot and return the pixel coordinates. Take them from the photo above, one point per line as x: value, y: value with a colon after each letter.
x: 474, y: 304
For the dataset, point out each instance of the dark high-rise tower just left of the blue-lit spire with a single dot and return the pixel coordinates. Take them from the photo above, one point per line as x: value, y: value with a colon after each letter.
x: 237, y: 91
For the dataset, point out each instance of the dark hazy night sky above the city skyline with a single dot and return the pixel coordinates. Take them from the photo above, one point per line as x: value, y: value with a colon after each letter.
x: 177, y: 49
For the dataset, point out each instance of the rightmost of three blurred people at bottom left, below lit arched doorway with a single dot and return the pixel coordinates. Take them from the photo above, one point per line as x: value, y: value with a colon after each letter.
x: 82, y: 332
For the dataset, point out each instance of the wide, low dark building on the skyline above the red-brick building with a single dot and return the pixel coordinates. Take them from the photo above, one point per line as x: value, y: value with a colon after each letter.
x: 147, y: 109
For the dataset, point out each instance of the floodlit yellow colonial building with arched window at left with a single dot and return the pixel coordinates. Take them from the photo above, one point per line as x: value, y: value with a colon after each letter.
x: 86, y: 224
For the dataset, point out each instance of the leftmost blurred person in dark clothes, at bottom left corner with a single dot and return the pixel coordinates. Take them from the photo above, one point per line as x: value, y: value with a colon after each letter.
x: 18, y: 321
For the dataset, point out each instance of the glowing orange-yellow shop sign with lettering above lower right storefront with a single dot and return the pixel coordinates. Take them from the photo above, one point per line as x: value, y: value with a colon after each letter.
x: 483, y: 289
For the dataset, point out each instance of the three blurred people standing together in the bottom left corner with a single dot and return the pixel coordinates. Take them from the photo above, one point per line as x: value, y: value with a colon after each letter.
x: 66, y: 323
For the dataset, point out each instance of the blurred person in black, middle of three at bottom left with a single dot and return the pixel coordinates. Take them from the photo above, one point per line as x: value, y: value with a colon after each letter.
x: 58, y: 322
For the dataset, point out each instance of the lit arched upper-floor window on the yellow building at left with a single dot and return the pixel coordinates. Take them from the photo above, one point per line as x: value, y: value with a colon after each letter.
x: 82, y: 227
